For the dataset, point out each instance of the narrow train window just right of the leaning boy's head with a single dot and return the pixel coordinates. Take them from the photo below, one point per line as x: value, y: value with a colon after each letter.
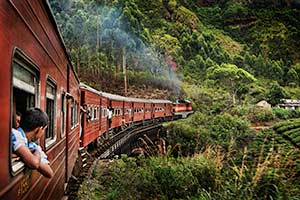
x: 50, y: 135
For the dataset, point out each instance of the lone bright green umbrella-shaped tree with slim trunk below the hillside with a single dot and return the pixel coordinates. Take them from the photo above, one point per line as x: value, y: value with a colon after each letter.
x: 231, y: 78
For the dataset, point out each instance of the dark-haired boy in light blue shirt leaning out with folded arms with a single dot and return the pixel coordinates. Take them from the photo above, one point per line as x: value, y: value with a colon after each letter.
x: 32, y: 126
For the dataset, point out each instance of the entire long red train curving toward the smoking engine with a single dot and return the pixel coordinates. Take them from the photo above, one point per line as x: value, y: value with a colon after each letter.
x: 36, y: 72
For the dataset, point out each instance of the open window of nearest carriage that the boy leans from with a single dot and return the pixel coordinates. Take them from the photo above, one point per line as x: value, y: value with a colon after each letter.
x: 25, y: 94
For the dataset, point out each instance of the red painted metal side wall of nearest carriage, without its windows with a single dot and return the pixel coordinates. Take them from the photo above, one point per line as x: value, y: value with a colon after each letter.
x: 29, y: 26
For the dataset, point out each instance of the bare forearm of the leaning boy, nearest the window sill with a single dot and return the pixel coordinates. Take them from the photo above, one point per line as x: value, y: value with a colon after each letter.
x: 31, y: 160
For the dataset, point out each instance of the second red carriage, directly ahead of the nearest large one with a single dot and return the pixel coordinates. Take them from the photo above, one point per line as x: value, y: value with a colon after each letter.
x: 91, y: 120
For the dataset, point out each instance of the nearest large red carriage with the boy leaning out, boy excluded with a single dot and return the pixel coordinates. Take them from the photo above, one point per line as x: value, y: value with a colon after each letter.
x: 35, y: 72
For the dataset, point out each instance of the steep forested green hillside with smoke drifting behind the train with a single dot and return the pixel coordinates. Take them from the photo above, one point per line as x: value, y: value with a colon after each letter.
x: 166, y: 43
